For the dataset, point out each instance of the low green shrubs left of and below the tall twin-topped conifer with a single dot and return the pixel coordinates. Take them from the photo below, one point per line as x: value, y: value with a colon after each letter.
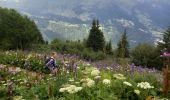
x: 78, y: 48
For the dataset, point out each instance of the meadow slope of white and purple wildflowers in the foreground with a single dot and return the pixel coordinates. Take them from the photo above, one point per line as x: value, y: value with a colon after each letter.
x: 22, y: 76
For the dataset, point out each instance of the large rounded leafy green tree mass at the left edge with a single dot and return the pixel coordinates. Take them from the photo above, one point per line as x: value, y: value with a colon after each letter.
x: 16, y: 31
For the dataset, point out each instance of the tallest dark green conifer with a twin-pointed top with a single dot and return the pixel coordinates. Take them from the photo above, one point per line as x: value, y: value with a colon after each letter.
x: 96, y: 39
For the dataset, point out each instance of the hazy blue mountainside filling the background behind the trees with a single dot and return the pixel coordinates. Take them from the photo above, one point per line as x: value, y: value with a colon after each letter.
x: 145, y: 20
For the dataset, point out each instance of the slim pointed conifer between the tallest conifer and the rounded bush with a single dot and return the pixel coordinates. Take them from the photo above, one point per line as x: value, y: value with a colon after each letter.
x: 123, y: 45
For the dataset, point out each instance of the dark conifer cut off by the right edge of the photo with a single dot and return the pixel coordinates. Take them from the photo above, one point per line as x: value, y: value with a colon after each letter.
x: 166, y: 40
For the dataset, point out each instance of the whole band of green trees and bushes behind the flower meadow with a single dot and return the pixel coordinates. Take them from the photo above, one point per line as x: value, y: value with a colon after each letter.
x: 19, y: 32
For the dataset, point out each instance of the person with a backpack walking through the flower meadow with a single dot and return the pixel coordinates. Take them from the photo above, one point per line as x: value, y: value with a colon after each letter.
x: 51, y: 63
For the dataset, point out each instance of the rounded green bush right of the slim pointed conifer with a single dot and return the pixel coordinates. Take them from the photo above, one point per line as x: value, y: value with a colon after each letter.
x: 146, y: 55
